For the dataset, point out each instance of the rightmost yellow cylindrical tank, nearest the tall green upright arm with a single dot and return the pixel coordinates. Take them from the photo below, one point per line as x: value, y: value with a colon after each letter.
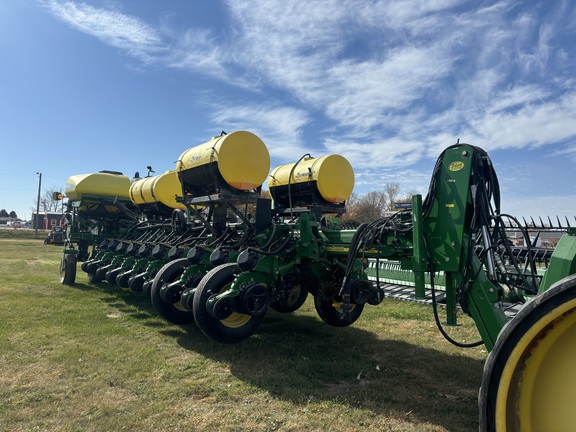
x: 328, y: 179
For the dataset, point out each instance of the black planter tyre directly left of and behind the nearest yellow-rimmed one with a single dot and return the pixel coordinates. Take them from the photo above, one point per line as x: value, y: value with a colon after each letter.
x: 172, y: 312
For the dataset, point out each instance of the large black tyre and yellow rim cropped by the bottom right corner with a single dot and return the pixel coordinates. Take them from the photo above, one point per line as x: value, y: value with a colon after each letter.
x: 529, y: 376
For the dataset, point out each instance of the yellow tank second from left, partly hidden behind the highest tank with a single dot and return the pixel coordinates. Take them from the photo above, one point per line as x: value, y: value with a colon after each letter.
x: 162, y: 188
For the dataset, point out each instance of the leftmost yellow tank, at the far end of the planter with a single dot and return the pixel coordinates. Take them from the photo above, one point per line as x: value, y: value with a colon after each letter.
x: 103, y: 183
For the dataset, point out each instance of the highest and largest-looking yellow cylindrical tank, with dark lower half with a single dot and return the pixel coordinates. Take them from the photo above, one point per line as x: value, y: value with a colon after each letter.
x: 240, y: 159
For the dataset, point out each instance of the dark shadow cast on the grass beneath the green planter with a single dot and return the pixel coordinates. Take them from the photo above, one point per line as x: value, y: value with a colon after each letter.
x: 300, y: 359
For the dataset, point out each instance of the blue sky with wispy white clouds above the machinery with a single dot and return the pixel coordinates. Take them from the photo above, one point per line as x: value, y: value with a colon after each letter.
x: 119, y: 85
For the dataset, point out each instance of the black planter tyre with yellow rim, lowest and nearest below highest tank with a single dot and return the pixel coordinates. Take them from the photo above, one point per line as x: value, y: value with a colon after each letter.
x: 237, y: 326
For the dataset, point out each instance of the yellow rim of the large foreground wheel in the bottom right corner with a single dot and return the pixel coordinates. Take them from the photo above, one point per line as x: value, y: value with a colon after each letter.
x: 536, y: 390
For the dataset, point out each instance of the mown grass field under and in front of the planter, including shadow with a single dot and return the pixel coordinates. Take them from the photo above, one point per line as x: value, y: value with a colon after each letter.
x: 97, y: 358
